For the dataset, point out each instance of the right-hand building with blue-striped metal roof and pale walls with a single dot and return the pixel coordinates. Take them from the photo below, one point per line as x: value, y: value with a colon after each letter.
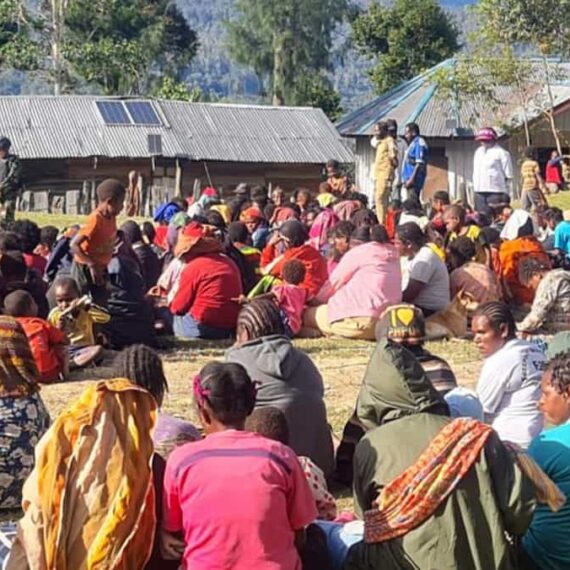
x: 449, y: 126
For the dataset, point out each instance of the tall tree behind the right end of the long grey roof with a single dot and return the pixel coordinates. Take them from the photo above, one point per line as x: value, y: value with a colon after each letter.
x: 285, y: 42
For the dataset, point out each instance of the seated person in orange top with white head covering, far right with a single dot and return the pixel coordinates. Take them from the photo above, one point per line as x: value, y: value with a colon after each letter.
x: 518, y: 242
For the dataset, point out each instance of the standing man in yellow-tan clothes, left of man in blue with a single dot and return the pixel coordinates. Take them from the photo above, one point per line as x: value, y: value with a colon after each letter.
x: 384, y: 168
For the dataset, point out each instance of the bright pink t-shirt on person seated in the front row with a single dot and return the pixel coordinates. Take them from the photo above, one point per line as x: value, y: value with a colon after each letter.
x: 238, y: 498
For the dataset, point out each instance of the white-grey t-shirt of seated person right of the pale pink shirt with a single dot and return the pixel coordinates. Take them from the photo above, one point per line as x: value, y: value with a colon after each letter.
x: 427, y: 267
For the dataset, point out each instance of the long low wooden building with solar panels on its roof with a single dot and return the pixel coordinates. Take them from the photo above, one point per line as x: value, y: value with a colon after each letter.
x: 69, y: 143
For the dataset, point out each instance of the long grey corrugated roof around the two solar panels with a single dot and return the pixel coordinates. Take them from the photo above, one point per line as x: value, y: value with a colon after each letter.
x: 43, y: 127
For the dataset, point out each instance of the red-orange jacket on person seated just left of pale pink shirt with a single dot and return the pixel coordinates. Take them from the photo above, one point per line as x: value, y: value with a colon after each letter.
x: 313, y: 261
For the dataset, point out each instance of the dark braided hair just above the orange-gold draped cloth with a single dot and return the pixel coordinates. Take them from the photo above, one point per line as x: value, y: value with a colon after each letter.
x: 143, y: 367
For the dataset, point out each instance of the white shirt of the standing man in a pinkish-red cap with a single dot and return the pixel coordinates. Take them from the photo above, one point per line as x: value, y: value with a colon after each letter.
x: 492, y: 167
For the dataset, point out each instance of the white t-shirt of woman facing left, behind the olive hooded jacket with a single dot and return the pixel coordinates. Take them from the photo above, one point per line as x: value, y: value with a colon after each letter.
x: 509, y: 389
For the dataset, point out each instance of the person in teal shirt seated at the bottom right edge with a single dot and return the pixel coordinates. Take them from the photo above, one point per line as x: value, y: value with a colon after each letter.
x: 547, y: 541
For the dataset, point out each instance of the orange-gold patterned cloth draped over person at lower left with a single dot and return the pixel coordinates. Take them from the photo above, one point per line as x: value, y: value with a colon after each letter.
x: 90, y: 500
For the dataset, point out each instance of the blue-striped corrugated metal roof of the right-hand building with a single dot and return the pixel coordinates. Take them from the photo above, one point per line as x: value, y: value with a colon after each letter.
x: 416, y: 101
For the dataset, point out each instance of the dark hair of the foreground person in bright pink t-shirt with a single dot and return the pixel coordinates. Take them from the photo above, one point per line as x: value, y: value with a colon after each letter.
x: 230, y: 391
